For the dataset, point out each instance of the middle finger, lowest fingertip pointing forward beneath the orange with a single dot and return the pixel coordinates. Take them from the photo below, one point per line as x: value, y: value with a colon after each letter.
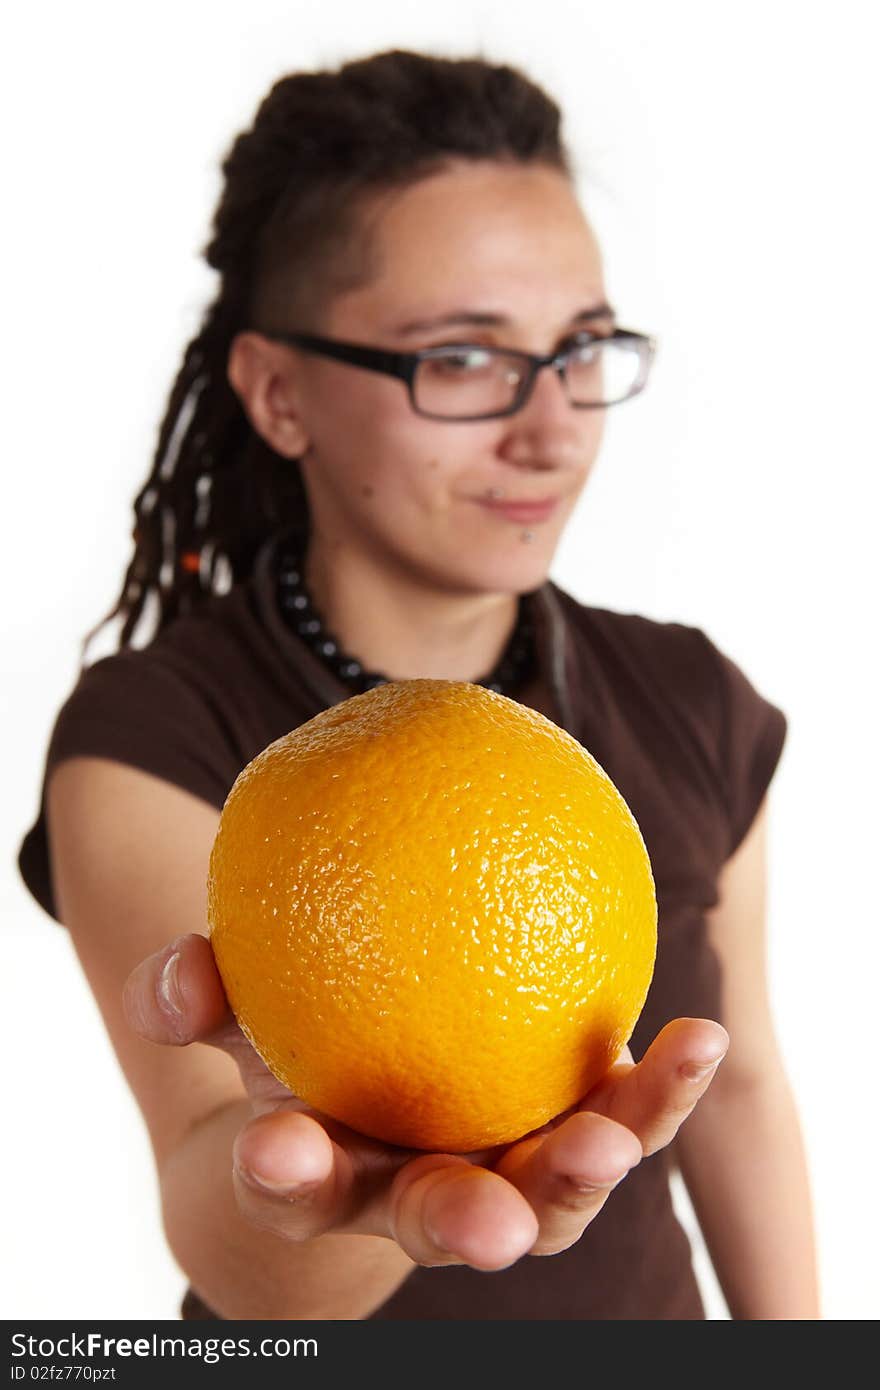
x: 446, y: 1211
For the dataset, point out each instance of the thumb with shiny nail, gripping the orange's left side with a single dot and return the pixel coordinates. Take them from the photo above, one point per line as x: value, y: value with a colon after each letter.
x: 177, y: 996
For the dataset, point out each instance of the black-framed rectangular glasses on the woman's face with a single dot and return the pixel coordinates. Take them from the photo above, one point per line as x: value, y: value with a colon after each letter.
x: 471, y: 382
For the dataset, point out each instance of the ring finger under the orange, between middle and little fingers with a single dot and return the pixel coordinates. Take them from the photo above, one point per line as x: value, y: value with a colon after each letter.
x: 568, y: 1175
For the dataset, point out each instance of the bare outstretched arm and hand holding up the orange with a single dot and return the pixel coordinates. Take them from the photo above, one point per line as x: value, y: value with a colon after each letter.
x: 130, y: 864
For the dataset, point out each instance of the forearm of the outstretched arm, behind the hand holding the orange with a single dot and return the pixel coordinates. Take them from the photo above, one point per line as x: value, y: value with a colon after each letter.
x: 245, y: 1273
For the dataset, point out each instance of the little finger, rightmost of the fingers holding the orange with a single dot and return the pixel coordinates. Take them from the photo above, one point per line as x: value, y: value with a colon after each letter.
x: 657, y: 1096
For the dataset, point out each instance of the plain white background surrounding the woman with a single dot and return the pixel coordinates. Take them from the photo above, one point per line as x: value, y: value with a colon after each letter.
x: 729, y: 162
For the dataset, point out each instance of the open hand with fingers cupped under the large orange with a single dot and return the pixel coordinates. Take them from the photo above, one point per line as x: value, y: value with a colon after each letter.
x: 301, y: 1174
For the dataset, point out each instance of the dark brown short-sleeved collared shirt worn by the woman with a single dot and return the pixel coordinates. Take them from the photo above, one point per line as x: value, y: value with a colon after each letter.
x: 676, y: 725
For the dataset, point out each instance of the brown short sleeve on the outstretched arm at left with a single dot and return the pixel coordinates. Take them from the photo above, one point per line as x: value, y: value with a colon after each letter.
x: 134, y: 710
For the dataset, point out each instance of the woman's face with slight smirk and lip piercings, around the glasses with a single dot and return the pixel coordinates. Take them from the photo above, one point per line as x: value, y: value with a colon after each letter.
x: 478, y: 240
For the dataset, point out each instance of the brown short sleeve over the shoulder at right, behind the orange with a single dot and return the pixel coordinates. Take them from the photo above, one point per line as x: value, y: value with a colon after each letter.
x: 751, y: 736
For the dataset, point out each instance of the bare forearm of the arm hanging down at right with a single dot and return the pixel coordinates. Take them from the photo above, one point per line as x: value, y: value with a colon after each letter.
x: 743, y: 1161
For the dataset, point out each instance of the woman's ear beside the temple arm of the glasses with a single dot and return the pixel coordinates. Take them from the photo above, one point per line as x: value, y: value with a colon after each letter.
x: 263, y: 376
